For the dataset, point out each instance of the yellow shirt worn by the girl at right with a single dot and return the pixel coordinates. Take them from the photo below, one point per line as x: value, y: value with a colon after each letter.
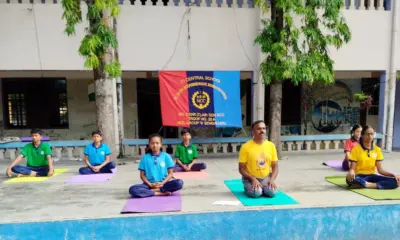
x: 366, y: 164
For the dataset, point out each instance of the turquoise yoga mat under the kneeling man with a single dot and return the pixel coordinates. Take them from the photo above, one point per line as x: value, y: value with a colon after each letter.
x: 236, y: 186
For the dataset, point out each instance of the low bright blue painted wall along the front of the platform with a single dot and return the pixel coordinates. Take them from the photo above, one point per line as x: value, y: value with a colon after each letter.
x: 354, y: 222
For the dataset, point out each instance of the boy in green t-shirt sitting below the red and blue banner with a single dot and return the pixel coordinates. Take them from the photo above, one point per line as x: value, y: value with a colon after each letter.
x: 186, y: 155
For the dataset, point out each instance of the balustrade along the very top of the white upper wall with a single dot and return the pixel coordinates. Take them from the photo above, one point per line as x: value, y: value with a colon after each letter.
x: 379, y: 5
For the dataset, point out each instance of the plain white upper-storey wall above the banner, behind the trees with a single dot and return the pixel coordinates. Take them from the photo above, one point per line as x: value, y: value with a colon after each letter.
x: 220, y: 39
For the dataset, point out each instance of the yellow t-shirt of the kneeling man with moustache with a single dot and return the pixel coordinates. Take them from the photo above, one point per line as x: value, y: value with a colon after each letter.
x: 258, y: 158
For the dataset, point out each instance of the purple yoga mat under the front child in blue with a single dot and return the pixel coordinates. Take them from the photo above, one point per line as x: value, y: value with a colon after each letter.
x: 154, y: 204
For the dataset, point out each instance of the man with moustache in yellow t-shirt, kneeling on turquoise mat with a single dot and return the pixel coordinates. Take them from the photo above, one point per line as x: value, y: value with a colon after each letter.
x: 256, y: 159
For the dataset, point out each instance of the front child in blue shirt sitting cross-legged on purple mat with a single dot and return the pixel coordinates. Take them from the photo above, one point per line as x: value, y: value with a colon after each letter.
x: 156, y: 172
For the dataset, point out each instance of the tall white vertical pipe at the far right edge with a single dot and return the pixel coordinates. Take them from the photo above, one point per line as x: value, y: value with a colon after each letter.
x: 392, y: 78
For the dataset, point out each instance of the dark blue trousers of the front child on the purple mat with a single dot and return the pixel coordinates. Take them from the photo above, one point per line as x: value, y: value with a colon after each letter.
x: 142, y: 190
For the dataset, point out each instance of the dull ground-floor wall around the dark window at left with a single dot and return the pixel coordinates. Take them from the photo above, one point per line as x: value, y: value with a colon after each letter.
x: 82, y: 112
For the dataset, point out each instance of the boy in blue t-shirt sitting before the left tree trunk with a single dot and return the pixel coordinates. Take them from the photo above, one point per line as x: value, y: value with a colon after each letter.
x: 97, y: 156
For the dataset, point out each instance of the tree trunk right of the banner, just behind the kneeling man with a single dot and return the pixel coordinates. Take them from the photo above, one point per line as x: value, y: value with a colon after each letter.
x: 275, y: 106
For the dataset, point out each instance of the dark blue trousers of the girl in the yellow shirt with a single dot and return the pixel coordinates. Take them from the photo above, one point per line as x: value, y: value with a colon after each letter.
x: 382, y: 182
